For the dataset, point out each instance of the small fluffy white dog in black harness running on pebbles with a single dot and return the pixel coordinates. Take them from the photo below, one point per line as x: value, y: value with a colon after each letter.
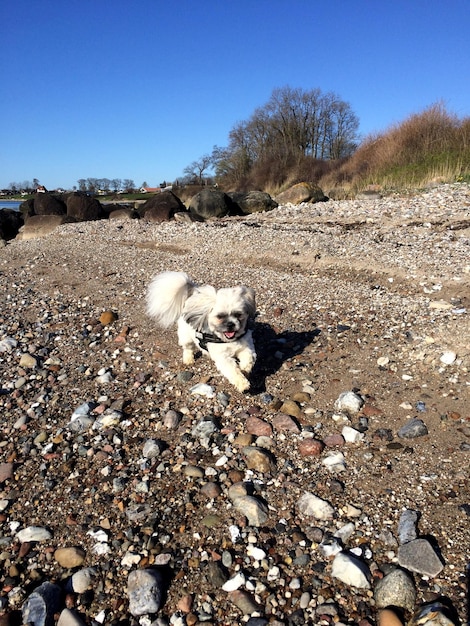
x: 209, y: 320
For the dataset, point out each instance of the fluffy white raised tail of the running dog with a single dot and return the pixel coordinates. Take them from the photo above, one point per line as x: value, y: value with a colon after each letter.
x: 166, y: 296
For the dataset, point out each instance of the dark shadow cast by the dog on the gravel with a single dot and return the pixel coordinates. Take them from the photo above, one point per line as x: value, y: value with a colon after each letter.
x: 273, y: 349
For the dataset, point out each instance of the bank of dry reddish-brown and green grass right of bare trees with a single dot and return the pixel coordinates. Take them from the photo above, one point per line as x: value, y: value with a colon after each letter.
x: 428, y: 147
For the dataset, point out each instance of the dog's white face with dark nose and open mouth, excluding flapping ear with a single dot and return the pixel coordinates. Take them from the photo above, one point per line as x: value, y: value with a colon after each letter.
x: 230, y: 313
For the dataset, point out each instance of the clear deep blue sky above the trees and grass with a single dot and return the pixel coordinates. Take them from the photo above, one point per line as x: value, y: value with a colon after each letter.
x: 139, y: 89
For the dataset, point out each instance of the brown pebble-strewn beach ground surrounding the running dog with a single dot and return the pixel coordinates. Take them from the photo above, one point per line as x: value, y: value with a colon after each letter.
x: 106, y: 449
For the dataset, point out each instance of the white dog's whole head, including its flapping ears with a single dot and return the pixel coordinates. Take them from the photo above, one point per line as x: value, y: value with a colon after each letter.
x: 224, y: 313
